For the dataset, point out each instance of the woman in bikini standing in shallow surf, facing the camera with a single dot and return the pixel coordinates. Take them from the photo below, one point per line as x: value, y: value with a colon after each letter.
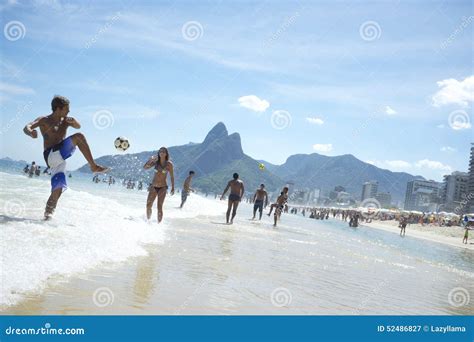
x: 162, y: 166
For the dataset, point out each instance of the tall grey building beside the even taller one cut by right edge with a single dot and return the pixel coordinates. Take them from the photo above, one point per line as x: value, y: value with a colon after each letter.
x: 454, y: 191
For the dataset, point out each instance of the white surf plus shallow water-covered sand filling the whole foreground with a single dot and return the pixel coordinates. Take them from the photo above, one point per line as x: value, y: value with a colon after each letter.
x: 194, y: 264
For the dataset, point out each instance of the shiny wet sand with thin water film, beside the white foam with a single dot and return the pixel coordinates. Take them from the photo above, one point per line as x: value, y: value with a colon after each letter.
x: 302, y: 267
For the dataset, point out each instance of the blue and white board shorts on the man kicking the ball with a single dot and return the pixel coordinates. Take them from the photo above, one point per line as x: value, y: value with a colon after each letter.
x: 55, y: 158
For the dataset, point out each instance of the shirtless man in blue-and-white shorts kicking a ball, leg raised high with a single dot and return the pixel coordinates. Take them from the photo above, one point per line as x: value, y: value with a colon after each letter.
x: 57, y: 148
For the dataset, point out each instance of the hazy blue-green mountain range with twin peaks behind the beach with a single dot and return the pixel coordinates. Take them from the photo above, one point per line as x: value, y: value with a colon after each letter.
x: 220, y: 155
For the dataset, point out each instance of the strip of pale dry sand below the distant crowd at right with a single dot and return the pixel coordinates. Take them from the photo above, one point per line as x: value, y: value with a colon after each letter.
x: 415, y: 230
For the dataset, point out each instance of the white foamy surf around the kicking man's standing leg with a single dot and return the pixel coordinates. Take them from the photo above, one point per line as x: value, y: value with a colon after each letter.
x: 94, y: 224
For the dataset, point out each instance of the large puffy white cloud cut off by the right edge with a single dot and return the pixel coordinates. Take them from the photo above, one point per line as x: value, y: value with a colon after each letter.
x: 454, y: 92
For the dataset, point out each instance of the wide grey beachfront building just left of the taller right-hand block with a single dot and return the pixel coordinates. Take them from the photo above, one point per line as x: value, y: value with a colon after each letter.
x: 422, y: 195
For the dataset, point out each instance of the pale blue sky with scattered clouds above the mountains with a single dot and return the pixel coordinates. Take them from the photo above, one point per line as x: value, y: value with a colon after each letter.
x: 390, y: 82
